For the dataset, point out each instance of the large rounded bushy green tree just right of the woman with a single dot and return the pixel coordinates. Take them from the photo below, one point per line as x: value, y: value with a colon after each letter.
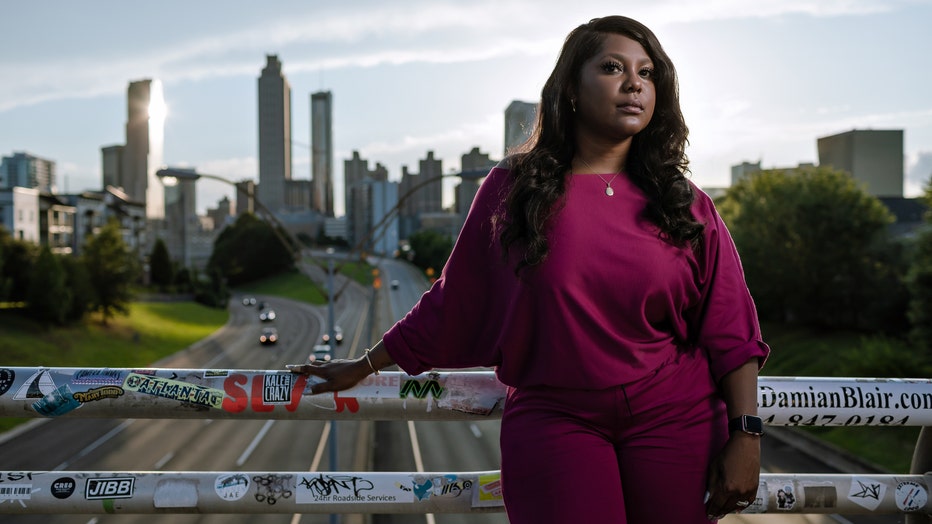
x: 811, y: 242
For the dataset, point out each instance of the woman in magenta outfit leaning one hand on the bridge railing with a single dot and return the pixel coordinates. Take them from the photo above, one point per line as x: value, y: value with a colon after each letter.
x: 607, y: 293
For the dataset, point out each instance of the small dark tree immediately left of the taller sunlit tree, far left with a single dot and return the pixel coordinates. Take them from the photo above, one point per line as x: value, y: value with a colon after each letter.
x: 48, y: 298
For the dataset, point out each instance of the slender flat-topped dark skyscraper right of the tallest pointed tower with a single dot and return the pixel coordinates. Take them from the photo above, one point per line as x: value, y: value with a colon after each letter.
x: 322, y: 153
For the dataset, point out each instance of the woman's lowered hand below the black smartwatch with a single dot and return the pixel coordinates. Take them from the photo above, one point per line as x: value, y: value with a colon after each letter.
x: 734, y: 476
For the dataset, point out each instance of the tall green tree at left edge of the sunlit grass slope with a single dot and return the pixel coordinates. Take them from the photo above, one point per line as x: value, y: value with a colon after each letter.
x: 112, y: 271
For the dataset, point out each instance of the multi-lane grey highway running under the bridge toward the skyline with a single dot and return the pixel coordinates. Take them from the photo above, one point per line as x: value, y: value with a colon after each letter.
x: 255, y: 445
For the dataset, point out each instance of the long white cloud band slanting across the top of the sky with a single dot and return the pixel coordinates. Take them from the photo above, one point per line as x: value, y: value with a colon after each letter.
x: 356, y: 34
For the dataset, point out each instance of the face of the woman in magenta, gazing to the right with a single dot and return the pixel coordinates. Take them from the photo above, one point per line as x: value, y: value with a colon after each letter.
x: 616, y: 94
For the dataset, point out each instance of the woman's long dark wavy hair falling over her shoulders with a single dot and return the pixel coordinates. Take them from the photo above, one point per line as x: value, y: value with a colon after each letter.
x: 656, y: 162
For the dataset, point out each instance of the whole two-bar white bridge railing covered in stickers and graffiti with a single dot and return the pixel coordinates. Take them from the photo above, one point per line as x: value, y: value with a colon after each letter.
x: 50, y: 392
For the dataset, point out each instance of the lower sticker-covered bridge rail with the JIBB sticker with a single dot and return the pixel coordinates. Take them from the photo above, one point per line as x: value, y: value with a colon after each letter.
x: 45, y: 492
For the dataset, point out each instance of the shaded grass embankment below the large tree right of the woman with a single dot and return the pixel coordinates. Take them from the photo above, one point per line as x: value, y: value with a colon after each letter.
x: 809, y: 353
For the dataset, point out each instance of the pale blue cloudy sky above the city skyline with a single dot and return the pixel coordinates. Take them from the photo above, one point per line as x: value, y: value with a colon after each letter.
x: 760, y: 81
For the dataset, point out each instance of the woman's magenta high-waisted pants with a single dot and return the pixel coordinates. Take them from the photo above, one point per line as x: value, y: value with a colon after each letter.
x: 632, y: 454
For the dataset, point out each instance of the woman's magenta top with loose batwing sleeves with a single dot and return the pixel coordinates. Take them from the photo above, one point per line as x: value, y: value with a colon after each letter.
x: 610, y: 303
